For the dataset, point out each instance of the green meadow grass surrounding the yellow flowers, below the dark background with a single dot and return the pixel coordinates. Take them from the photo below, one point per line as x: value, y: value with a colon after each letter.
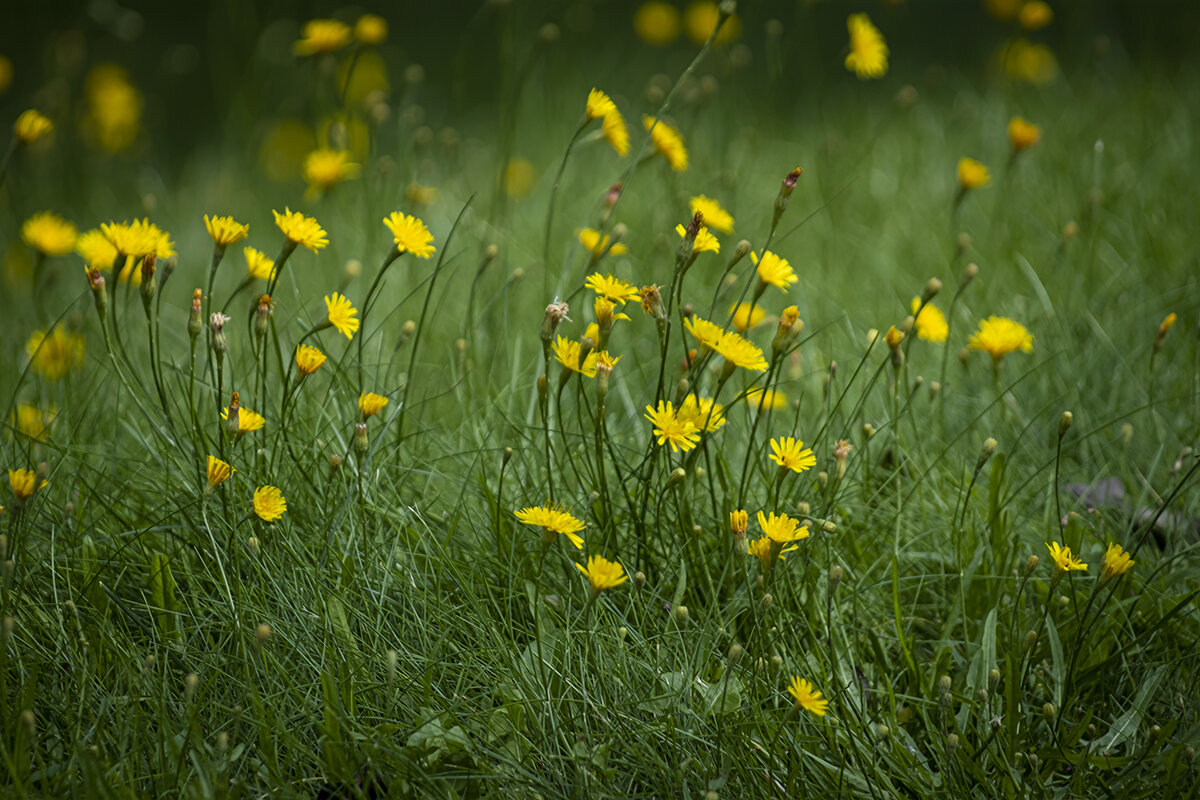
x: 399, y: 630
